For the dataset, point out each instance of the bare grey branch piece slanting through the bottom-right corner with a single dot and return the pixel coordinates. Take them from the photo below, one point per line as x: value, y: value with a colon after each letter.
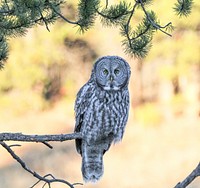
x: 194, y: 174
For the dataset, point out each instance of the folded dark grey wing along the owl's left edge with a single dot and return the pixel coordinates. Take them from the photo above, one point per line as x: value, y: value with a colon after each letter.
x: 81, y: 105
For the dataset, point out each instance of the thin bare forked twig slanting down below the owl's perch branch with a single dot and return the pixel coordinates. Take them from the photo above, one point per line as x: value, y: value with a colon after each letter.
x: 40, y: 178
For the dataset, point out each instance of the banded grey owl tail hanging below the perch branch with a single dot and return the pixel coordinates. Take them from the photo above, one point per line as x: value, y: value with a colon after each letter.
x: 92, y: 162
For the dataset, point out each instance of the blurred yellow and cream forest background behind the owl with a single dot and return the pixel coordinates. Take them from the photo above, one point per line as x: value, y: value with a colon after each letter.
x: 44, y: 72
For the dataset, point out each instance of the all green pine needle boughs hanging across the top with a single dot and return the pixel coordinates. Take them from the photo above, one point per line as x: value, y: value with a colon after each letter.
x: 19, y: 15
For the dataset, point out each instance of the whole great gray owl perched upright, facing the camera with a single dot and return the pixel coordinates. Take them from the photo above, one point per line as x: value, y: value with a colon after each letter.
x: 101, y: 109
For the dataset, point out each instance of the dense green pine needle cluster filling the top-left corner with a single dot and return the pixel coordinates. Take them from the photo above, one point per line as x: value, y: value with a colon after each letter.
x: 18, y: 16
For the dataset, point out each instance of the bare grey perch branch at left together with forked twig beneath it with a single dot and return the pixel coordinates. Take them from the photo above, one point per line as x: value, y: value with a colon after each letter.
x: 44, y: 139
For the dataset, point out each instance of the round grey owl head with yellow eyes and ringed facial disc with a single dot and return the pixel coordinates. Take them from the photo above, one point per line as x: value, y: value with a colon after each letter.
x: 111, y: 73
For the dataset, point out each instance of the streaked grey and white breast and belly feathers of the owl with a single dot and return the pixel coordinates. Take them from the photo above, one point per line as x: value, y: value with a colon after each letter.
x: 105, y: 115
